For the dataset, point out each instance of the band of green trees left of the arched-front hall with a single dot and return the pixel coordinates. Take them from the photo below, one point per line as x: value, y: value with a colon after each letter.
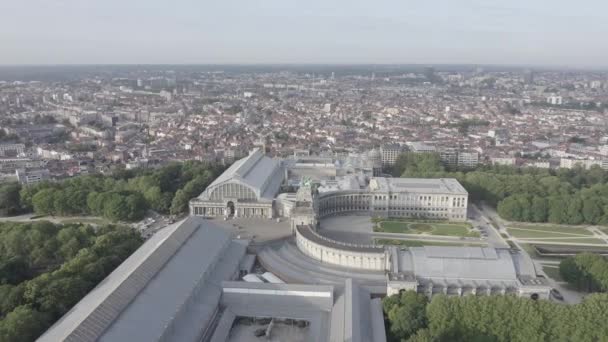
x: 123, y: 196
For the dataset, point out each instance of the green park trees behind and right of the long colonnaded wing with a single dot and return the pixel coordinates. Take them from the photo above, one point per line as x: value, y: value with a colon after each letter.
x: 562, y: 196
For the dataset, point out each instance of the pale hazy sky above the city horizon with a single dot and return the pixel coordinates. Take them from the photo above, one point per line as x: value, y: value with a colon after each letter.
x: 539, y: 32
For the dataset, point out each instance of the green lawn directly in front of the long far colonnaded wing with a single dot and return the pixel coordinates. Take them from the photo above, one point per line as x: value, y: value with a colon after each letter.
x: 432, y: 228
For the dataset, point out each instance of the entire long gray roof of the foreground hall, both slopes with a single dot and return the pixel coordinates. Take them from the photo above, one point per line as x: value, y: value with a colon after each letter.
x: 142, y: 298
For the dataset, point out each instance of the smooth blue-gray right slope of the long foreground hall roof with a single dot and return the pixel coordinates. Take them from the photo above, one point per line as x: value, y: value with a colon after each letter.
x: 160, y: 303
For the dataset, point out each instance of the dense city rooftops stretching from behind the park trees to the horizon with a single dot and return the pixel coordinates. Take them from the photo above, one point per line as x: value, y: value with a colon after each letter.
x: 145, y: 116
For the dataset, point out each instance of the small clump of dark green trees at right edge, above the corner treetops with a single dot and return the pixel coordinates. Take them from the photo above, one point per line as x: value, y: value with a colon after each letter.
x: 585, y: 272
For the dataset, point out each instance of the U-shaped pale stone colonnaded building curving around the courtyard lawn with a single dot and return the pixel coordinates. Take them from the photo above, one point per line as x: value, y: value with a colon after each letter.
x: 431, y: 269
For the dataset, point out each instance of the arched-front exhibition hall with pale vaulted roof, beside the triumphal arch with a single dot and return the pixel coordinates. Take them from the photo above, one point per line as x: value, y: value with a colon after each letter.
x: 246, y: 189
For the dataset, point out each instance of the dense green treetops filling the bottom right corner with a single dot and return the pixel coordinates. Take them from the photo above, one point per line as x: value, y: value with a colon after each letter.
x: 412, y: 317
